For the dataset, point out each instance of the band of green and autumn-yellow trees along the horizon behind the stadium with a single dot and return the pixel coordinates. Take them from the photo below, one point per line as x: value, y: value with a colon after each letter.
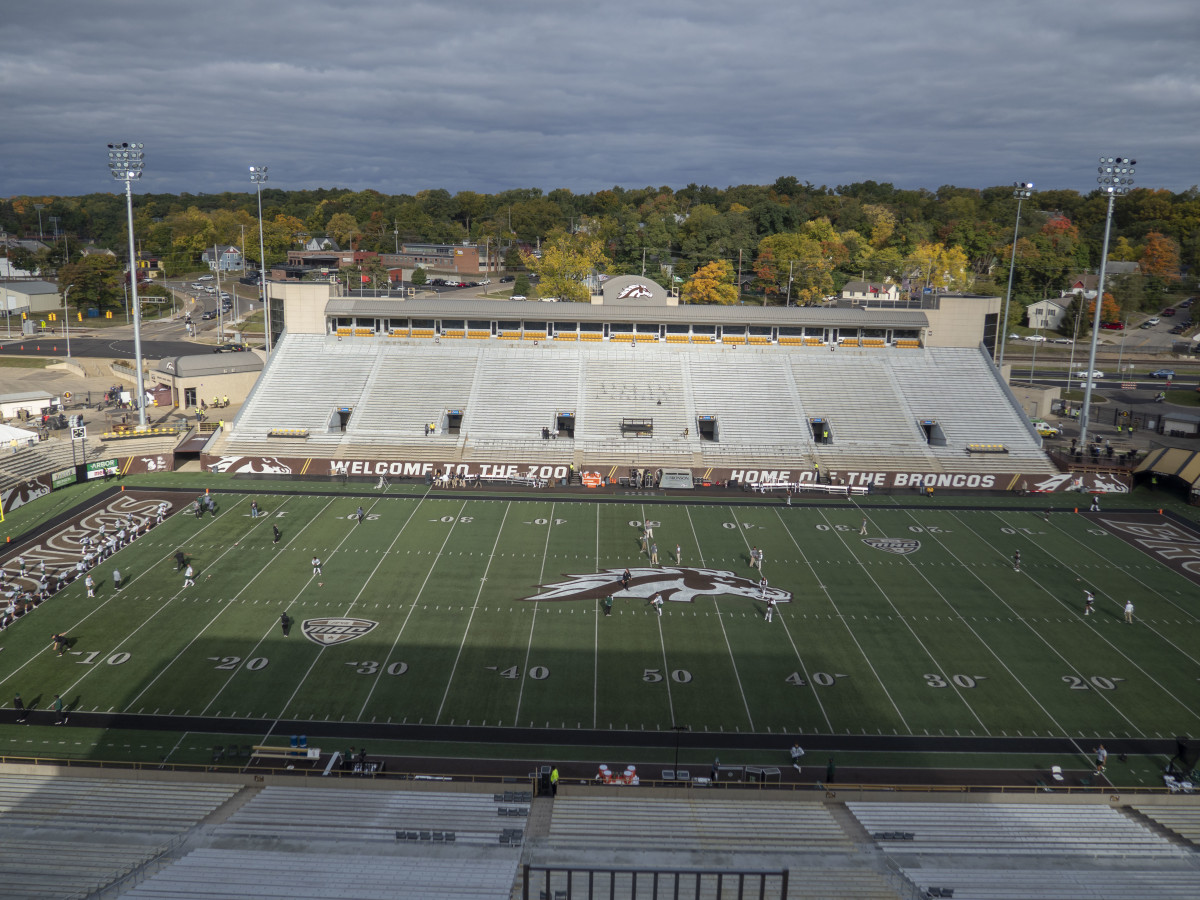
x: 789, y: 242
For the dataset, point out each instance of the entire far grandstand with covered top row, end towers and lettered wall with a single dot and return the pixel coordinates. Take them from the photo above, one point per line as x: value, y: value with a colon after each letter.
x: 848, y: 397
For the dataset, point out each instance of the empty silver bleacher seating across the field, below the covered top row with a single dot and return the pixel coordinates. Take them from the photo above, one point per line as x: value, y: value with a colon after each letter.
x: 764, y: 398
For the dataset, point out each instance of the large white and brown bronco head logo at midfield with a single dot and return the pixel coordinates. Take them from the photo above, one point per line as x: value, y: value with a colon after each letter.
x: 679, y: 585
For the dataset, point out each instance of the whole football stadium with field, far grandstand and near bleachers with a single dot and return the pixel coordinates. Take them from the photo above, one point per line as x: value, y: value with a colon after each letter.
x: 489, y: 599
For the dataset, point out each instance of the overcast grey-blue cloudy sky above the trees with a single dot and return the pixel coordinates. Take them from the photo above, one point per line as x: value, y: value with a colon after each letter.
x: 487, y: 97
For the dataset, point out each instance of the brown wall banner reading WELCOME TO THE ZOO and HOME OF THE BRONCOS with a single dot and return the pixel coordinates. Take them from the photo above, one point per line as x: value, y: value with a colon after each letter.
x: 770, y: 479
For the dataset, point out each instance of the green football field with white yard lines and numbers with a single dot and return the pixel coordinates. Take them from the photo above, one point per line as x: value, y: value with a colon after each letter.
x: 470, y: 610
